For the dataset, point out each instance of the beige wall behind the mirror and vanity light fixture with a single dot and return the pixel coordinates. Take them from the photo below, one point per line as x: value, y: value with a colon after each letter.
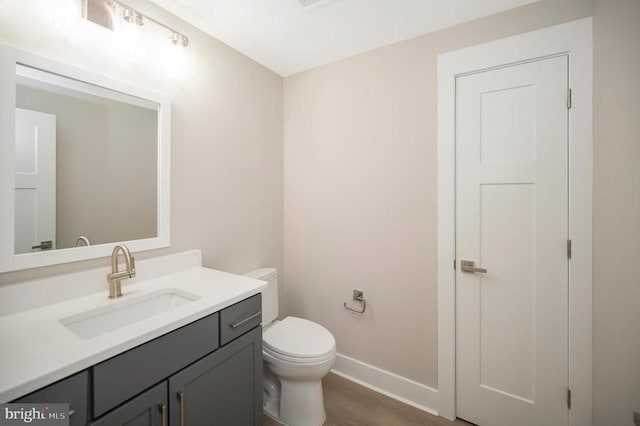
x: 226, y: 176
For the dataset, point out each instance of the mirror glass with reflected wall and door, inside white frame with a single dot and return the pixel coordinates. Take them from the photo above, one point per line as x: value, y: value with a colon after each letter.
x: 85, y: 164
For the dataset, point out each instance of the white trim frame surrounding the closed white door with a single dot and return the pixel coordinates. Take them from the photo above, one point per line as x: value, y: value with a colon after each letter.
x: 575, y: 40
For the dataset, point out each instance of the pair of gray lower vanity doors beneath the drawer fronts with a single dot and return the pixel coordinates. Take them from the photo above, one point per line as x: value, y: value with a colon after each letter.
x: 224, y: 388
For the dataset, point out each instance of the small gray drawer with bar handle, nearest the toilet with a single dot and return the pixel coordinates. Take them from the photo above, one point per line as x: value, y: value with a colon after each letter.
x: 239, y: 318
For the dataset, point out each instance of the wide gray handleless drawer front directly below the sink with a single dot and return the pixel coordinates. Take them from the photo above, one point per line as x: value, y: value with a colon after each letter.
x: 126, y: 375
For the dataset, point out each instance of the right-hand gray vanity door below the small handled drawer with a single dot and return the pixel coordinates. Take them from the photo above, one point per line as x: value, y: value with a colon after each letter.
x: 224, y: 388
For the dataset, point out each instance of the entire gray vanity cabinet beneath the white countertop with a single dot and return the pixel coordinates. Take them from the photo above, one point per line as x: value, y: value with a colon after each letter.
x: 206, y: 373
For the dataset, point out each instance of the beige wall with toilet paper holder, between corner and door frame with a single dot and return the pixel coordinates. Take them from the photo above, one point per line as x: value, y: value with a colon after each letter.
x: 360, y: 190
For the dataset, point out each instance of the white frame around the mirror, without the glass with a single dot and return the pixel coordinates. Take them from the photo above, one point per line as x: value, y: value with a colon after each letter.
x: 9, y: 261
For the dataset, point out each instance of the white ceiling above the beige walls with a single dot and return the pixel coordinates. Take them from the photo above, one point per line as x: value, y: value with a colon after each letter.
x: 287, y: 37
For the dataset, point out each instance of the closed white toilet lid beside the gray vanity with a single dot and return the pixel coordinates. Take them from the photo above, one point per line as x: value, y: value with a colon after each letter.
x: 300, y: 338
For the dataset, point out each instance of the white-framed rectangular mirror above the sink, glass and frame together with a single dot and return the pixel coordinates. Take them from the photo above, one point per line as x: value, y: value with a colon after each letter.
x: 88, y: 163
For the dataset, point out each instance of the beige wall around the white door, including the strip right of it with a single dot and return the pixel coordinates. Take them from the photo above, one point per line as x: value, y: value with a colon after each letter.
x: 360, y: 196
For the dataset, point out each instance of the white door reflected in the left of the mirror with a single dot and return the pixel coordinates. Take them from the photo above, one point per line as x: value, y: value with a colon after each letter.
x: 35, y: 167
